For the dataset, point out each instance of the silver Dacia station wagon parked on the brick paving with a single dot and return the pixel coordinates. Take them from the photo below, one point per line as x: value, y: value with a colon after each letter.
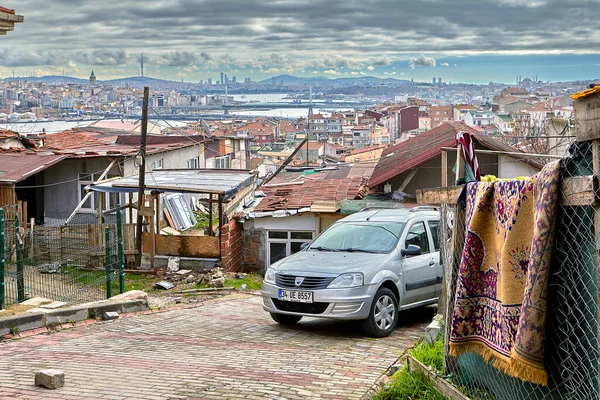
x: 367, y: 267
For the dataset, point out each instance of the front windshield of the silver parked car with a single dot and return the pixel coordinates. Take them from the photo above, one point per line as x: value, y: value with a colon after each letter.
x: 366, y: 237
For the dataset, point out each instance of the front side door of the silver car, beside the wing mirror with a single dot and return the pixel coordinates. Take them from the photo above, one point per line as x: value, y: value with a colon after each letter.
x: 419, y: 272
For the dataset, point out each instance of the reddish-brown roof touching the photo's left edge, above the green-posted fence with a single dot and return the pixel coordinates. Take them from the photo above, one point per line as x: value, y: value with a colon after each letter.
x: 15, y: 167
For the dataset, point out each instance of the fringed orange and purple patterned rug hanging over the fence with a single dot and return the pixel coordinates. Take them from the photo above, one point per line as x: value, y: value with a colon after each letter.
x: 500, y: 307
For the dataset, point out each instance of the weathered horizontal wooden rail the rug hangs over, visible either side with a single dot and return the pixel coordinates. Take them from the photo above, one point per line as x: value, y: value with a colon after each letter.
x: 577, y: 191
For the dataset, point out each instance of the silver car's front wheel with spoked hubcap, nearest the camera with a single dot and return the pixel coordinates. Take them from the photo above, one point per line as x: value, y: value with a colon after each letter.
x: 383, y: 316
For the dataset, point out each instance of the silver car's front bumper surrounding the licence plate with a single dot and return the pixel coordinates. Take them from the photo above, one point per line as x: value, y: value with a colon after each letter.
x: 350, y: 303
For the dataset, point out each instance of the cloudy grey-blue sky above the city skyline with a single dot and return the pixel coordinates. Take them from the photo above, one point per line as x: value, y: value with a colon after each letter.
x: 460, y: 40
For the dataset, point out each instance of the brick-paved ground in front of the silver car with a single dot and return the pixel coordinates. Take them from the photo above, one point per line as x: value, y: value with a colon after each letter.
x: 229, y: 349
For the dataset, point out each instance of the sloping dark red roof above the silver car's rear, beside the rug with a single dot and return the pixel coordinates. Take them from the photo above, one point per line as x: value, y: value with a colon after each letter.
x: 416, y: 151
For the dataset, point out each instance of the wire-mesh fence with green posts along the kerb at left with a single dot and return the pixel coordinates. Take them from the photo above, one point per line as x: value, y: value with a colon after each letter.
x: 72, y: 263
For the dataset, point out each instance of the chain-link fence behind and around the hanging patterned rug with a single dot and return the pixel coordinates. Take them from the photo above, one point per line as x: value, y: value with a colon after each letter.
x: 572, y: 329
